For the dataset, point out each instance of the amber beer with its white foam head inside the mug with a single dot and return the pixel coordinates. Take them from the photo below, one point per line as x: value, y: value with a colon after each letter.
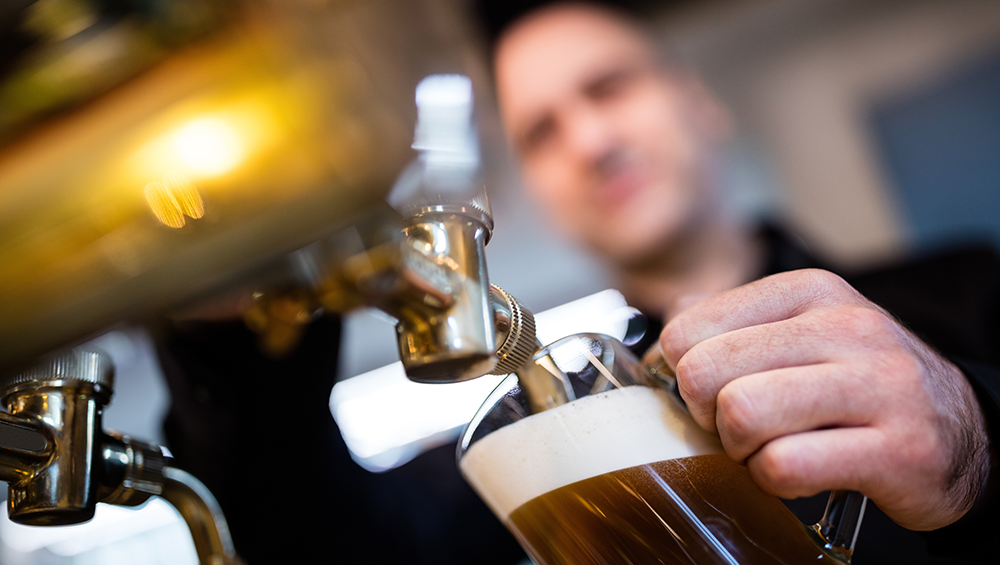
x: 621, y: 477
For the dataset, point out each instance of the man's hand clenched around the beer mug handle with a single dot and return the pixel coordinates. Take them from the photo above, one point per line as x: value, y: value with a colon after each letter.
x: 817, y: 388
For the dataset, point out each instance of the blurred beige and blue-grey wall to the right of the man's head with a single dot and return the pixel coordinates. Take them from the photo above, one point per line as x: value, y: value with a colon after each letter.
x: 879, y: 118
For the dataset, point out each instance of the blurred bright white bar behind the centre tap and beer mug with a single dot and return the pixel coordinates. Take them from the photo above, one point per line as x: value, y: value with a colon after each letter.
x: 387, y: 420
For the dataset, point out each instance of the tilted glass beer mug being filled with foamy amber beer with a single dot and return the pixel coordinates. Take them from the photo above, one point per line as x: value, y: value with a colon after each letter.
x: 589, y: 457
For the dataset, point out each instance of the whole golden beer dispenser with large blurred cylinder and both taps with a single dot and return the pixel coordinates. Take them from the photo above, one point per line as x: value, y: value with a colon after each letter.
x: 243, y: 148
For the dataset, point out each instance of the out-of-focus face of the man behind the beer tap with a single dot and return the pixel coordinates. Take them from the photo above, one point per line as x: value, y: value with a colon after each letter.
x: 610, y: 143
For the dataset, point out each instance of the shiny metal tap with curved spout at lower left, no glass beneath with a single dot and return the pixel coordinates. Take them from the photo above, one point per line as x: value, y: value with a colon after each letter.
x: 59, y: 463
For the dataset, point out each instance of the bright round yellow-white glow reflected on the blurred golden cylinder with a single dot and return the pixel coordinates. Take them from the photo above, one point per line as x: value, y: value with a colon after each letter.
x: 208, y: 146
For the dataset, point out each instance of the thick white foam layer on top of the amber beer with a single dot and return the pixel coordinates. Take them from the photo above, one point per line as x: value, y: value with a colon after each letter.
x: 610, y: 431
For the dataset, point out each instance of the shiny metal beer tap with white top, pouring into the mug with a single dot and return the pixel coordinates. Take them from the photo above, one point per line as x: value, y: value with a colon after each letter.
x: 429, y: 272
